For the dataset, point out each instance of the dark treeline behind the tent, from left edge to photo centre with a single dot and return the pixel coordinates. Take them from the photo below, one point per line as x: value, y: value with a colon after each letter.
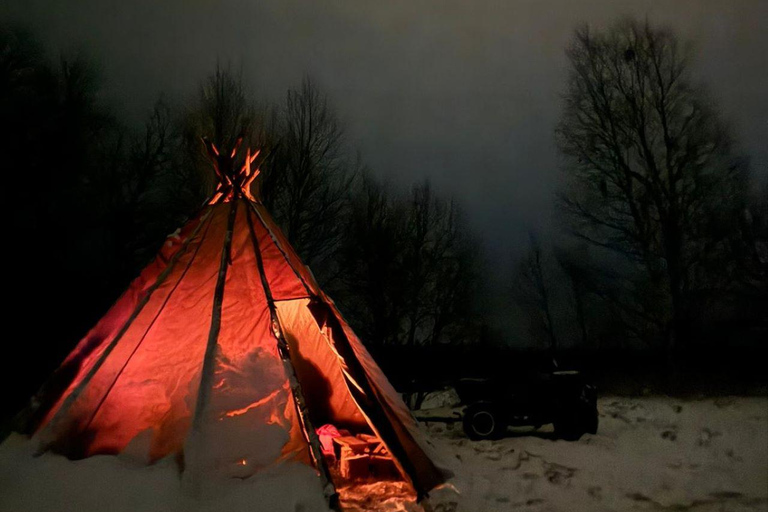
x: 90, y: 199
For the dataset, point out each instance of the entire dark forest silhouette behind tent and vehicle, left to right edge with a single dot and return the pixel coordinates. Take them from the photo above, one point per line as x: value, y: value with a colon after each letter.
x: 665, y: 245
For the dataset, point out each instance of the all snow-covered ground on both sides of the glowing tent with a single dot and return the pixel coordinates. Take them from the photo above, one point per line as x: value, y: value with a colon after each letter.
x: 649, y: 454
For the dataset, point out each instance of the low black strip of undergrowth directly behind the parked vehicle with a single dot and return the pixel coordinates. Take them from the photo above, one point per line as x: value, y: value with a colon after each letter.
x: 709, y: 371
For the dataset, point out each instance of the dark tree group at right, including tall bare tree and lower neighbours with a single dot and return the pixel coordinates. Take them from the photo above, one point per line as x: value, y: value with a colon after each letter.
x: 666, y: 246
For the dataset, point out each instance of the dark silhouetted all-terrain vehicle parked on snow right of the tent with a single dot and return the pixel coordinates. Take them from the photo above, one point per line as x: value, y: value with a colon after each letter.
x: 564, y: 398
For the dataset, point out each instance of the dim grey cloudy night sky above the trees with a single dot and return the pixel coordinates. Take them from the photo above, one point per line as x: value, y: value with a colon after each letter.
x: 465, y: 93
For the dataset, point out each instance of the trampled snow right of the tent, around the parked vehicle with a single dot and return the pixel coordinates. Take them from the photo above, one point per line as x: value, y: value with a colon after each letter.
x: 648, y: 454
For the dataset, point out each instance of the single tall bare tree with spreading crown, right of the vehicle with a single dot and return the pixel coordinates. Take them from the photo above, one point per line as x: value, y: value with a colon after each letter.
x: 651, y: 174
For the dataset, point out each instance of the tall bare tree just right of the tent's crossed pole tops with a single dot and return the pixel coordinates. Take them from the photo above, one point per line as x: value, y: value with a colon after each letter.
x: 307, y: 180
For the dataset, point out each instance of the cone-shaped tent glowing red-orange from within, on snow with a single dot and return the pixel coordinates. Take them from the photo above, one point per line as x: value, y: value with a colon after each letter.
x: 225, y: 353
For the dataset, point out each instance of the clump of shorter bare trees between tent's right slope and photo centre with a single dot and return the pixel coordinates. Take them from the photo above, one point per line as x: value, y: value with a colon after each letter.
x: 410, y: 266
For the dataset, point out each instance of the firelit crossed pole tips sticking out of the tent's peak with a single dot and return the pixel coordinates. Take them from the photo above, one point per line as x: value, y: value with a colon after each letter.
x: 231, y: 183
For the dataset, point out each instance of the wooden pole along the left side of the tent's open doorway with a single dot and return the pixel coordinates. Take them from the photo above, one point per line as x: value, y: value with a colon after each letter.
x: 329, y: 490
